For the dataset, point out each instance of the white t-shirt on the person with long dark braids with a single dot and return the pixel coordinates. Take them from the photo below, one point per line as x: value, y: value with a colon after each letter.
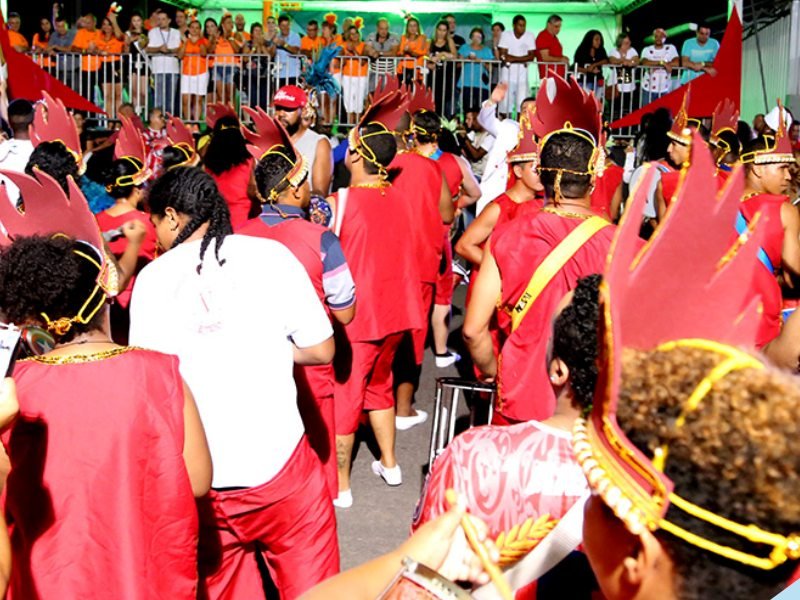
x: 232, y: 326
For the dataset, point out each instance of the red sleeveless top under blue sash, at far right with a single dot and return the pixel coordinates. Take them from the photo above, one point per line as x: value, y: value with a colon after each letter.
x: 765, y: 283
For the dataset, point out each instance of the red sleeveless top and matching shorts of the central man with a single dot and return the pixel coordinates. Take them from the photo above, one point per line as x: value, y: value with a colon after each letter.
x: 374, y: 232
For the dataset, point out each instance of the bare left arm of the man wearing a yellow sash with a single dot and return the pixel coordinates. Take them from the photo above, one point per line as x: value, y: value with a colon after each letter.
x: 480, y: 309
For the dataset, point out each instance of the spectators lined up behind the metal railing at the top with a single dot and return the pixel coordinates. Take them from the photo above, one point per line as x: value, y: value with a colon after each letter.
x: 227, y: 60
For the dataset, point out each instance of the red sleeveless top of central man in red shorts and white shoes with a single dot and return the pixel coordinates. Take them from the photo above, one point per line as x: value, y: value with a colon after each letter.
x: 376, y: 226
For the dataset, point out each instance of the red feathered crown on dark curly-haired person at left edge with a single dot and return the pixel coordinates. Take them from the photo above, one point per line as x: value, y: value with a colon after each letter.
x: 49, y: 212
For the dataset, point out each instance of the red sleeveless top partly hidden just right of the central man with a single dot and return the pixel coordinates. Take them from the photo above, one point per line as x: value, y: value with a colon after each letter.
x: 419, y: 179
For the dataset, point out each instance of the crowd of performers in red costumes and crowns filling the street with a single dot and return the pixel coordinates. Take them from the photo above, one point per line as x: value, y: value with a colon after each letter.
x: 207, y: 319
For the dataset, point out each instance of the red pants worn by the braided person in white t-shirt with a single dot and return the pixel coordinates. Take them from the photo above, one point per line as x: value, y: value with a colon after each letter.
x: 290, y: 519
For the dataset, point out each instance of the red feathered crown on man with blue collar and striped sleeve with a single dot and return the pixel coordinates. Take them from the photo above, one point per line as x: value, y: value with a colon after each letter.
x: 270, y: 138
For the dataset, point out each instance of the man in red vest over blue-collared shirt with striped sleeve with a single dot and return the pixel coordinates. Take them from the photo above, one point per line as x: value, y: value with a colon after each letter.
x: 281, y: 182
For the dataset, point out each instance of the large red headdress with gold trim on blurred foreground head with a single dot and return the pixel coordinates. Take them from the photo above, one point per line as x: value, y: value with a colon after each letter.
x: 690, y: 257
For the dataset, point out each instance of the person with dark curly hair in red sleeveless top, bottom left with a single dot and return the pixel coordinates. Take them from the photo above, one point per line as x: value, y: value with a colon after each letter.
x: 108, y: 451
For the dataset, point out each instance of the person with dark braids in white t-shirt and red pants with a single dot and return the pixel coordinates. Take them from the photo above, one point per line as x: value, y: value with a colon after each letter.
x: 208, y: 298
